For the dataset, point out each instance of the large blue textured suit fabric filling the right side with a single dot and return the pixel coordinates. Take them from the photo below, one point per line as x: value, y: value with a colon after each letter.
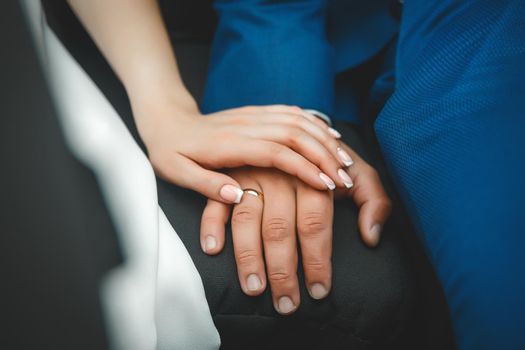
x: 453, y: 135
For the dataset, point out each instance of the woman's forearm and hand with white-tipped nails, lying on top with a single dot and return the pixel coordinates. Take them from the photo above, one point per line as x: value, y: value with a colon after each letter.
x: 182, y: 144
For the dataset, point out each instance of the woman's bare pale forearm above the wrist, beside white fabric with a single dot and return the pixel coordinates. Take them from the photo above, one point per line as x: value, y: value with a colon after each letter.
x: 134, y: 40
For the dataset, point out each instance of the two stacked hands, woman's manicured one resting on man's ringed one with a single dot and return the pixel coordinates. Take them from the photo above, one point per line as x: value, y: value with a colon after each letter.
x: 296, y: 162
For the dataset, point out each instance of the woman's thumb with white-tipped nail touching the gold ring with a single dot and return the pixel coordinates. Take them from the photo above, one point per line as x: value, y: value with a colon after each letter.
x: 186, y: 173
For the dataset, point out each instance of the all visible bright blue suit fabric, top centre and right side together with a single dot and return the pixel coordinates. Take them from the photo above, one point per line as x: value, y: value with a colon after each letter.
x: 453, y: 132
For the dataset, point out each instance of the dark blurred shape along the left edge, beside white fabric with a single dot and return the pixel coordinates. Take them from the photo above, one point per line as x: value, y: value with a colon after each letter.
x: 56, y: 238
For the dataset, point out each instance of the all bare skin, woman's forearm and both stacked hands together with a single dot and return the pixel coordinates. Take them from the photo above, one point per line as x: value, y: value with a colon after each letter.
x: 282, y: 151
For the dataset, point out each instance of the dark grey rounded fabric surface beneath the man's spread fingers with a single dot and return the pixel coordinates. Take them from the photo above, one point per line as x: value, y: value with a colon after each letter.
x: 371, y: 287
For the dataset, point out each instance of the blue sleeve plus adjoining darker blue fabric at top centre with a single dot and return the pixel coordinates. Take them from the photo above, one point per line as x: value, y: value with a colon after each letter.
x: 289, y: 51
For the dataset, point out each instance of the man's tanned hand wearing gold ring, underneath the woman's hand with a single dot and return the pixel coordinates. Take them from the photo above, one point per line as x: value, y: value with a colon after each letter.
x: 291, y: 211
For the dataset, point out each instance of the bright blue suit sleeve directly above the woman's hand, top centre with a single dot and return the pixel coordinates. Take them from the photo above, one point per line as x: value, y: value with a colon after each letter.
x: 270, y: 52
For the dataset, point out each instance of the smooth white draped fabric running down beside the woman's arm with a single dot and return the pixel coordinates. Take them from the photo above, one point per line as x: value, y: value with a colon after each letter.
x: 155, y: 299
